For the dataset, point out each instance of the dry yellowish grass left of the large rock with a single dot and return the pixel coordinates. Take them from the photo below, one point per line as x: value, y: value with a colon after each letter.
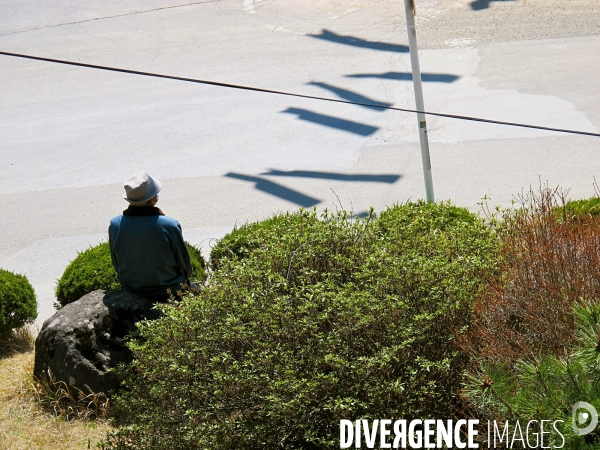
x: 25, y: 423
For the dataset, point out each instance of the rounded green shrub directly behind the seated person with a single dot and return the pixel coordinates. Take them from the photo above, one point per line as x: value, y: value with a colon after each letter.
x: 92, y: 269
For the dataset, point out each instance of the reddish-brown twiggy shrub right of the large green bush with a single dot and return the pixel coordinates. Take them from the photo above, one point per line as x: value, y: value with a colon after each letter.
x: 550, y: 259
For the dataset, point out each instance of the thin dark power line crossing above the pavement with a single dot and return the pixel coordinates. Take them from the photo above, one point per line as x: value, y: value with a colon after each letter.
x: 291, y: 94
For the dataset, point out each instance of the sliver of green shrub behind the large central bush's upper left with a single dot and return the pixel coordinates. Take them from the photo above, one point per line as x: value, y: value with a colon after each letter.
x: 242, y: 241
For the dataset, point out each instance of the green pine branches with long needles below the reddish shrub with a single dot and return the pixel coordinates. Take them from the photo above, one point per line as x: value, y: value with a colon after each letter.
x: 547, y: 387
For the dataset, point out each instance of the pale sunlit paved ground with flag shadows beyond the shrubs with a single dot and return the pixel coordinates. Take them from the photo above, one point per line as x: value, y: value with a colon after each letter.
x: 70, y: 136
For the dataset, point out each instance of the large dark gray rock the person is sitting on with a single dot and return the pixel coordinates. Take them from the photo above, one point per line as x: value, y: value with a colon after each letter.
x: 85, y: 338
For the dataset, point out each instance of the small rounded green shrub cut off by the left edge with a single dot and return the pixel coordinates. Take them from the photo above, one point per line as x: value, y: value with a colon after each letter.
x: 18, y: 304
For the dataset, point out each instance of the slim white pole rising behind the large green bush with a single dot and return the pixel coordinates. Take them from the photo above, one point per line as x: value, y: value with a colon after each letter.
x: 418, y: 86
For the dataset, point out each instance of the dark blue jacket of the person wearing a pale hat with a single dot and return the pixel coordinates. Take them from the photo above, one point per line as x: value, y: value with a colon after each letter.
x: 148, y: 251
